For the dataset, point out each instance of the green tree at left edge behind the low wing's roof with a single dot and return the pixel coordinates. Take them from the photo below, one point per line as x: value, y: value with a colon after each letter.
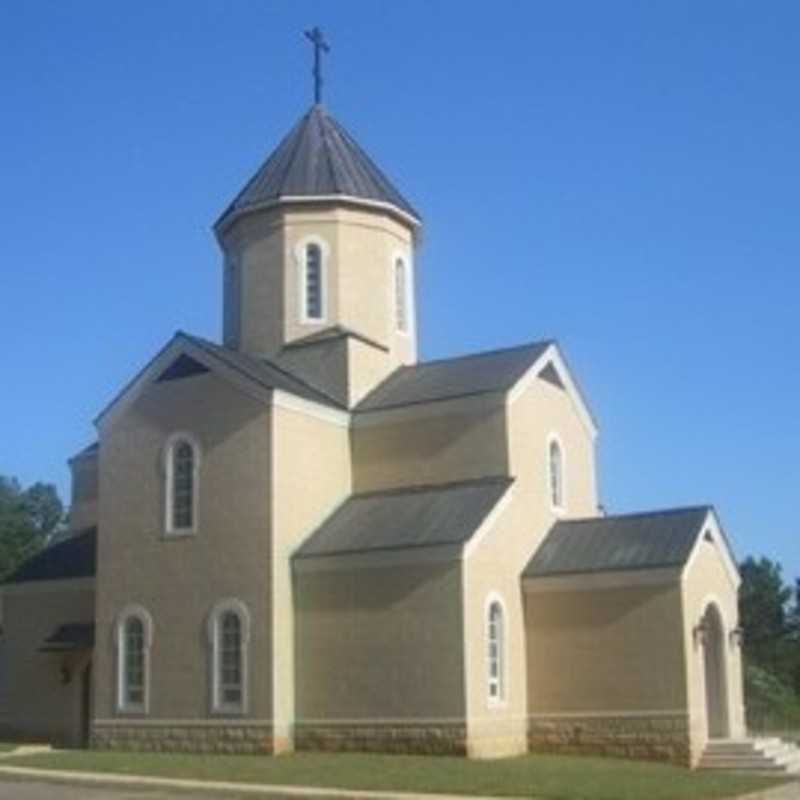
x: 27, y: 519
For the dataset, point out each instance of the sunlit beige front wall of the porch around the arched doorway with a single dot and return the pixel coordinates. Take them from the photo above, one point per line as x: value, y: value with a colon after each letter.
x: 707, y: 581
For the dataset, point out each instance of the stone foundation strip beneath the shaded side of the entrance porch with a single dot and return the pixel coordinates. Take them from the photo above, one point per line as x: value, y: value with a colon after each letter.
x: 655, y: 738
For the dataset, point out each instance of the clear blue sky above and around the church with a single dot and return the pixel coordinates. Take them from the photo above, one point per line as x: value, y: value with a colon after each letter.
x: 622, y: 176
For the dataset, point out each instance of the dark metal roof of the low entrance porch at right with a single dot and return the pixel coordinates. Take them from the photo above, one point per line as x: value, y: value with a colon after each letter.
x: 633, y: 541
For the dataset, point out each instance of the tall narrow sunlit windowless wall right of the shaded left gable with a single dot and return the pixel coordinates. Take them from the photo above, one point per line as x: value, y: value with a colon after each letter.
x: 311, y: 476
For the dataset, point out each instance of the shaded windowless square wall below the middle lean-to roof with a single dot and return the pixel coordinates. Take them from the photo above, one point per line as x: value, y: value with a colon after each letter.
x: 380, y: 643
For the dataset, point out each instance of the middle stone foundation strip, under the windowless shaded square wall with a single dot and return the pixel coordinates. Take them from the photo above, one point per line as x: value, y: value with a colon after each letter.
x: 378, y: 737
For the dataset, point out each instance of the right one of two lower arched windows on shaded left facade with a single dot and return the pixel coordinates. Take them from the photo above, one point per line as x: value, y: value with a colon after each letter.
x: 229, y: 632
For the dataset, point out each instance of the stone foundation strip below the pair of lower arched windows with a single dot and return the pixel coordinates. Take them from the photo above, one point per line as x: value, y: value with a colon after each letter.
x: 186, y: 738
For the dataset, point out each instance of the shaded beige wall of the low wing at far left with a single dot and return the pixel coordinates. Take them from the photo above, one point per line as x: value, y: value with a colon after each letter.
x: 38, y: 704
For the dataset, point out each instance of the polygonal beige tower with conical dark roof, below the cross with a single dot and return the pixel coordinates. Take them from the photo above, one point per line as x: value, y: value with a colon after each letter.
x: 319, y: 262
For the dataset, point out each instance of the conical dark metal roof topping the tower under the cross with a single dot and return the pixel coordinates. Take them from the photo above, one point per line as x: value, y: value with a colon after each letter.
x: 318, y: 158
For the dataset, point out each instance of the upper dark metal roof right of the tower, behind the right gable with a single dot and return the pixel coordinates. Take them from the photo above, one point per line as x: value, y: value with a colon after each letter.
x: 493, y: 371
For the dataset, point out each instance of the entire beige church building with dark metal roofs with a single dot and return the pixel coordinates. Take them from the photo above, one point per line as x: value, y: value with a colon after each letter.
x: 305, y: 538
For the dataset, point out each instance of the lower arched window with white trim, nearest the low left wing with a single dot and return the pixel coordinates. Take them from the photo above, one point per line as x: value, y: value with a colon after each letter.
x: 134, y: 636
